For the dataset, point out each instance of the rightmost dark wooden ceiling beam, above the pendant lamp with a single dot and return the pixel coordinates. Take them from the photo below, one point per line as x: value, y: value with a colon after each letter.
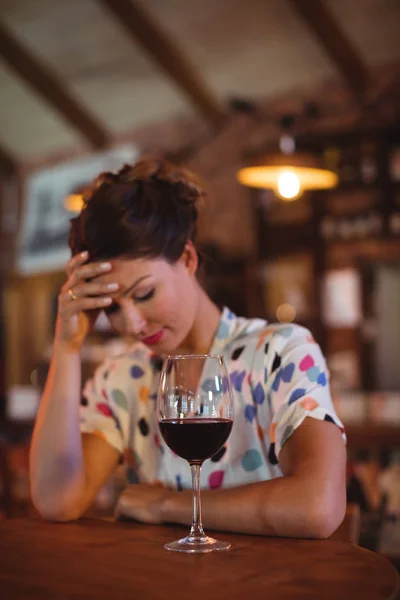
x: 339, y: 49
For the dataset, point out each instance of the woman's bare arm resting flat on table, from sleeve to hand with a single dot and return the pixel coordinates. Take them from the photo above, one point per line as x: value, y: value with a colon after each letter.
x: 308, y: 501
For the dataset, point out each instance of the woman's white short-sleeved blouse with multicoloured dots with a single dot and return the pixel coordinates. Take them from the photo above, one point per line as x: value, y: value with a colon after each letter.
x: 277, y: 375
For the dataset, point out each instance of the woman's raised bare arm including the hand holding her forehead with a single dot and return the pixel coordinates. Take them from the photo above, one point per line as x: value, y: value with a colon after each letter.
x: 63, y: 477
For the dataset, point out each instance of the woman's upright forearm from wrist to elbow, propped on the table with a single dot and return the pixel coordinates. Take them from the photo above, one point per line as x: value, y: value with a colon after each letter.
x: 56, y: 458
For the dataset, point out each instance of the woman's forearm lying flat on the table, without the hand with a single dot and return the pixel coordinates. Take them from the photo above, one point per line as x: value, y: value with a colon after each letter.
x: 286, y: 506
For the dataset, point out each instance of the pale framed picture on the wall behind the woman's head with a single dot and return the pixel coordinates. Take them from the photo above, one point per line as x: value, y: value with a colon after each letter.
x: 43, y: 236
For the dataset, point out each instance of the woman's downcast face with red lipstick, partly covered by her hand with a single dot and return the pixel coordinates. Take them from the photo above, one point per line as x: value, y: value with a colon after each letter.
x: 156, y: 301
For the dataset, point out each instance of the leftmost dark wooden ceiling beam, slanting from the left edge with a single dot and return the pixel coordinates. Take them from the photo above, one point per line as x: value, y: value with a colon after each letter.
x: 46, y: 84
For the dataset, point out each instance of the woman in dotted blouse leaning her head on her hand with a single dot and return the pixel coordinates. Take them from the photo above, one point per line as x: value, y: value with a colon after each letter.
x: 282, y: 471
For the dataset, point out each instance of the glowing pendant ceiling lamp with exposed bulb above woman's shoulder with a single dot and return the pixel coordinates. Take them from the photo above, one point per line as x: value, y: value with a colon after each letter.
x: 288, y: 175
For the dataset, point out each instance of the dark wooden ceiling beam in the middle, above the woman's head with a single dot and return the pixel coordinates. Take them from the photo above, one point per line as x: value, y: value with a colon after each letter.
x: 163, y: 51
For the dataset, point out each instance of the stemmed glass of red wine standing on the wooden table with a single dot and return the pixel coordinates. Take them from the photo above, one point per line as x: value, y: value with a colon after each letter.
x: 195, y: 413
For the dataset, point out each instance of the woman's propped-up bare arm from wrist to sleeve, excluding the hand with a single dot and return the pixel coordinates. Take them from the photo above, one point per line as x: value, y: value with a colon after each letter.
x: 66, y: 469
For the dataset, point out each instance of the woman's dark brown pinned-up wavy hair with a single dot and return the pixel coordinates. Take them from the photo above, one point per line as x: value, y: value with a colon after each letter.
x: 148, y: 209
